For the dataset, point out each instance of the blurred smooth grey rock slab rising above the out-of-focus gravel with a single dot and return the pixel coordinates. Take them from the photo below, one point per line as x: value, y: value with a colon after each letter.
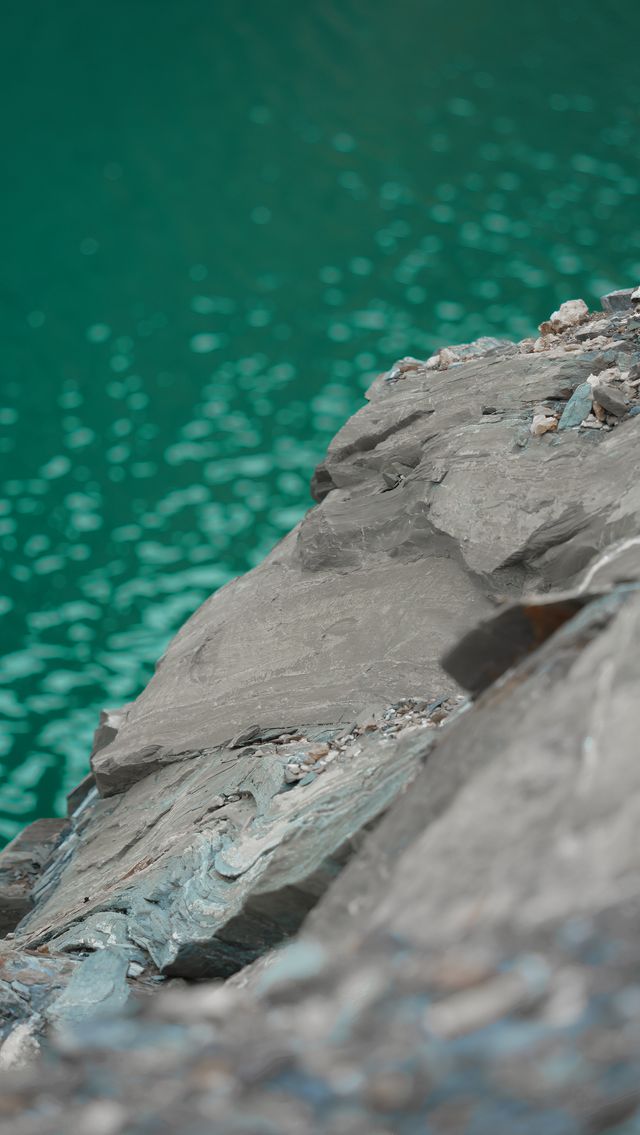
x: 557, y: 737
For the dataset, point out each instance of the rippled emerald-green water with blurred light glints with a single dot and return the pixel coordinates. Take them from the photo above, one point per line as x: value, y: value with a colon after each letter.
x: 221, y: 221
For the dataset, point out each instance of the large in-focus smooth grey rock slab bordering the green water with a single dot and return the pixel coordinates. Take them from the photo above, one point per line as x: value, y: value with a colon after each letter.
x: 358, y: 603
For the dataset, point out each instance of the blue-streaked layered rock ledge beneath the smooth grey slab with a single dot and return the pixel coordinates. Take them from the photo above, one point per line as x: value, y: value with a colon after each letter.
x: 198, y: 889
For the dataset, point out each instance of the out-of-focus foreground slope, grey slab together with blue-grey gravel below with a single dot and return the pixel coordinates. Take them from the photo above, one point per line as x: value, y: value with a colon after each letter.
x: 475, y: 968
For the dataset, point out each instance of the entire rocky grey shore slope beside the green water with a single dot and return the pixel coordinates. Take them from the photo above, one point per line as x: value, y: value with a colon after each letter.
x: 381, y: 796
